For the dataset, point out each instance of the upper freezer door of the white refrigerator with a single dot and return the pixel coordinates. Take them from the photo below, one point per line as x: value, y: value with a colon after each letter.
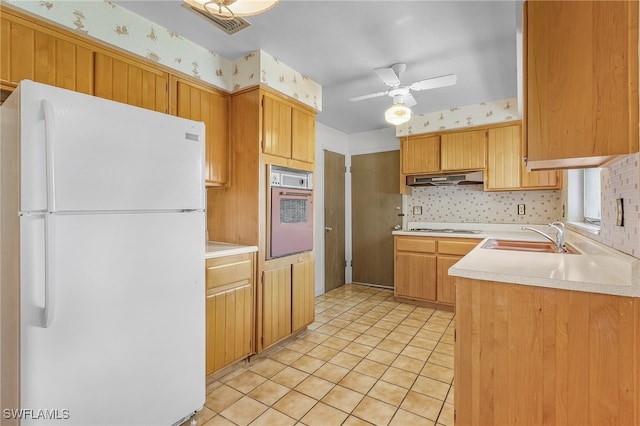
x: 99, y: 155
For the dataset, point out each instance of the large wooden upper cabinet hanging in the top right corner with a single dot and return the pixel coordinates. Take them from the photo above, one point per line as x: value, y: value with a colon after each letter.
x: 581, y: 82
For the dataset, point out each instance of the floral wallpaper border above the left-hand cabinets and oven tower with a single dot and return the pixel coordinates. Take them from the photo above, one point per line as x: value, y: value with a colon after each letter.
x: 105, y: 21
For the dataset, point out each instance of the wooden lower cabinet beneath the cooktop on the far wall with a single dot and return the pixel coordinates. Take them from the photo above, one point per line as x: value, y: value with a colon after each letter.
x: 421, y: 267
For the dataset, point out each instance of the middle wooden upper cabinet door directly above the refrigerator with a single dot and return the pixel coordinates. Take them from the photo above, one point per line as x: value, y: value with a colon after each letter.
x: 130, y: 83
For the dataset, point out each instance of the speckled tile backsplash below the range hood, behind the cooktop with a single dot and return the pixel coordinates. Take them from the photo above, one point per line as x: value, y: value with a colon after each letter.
x: 471, y: 204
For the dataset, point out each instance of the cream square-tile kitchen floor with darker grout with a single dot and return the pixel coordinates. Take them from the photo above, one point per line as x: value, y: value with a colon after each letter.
x: 366, y: 359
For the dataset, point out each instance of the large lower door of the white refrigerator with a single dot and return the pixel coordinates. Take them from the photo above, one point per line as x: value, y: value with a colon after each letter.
x: 126, y: 341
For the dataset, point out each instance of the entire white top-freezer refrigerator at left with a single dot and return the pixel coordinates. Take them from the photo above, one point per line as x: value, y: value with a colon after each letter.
x: 102, y: 226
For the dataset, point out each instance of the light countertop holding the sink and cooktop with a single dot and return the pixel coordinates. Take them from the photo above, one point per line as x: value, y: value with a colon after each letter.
x: 597, y: 268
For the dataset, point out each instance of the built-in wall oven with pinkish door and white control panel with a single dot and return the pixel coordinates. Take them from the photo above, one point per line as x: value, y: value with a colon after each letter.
x: 291, y: 221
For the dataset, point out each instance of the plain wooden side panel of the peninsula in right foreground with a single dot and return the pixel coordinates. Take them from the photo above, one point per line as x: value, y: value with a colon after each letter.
x: 529, y: 355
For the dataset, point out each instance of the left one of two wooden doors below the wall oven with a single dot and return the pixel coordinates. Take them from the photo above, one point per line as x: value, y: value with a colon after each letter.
x: 276, y: 305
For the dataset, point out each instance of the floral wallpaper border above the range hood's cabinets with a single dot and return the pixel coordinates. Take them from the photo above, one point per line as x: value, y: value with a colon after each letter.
x: 464, y: 116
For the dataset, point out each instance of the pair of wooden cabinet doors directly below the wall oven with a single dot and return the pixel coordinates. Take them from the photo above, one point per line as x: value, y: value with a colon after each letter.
x: 287, y: 295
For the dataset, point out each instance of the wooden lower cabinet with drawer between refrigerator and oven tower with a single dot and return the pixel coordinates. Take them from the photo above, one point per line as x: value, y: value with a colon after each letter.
x: 229, y: 310
